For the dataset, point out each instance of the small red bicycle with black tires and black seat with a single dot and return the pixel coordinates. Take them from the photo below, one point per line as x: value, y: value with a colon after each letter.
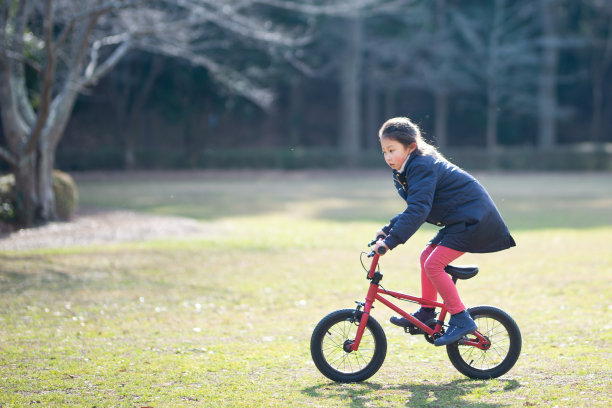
x: 349, y: 345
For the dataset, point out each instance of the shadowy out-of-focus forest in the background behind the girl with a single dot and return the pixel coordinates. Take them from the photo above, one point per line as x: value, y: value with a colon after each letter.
x: 474, y: 74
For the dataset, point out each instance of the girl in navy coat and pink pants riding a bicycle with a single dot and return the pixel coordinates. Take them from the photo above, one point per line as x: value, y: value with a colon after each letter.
x: 440, y: 193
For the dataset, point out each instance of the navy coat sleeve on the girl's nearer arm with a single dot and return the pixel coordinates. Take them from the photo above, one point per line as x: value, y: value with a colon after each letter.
x: 422, y: 181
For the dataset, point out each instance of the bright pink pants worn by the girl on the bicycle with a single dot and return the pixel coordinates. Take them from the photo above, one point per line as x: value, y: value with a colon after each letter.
x: 434, y: 280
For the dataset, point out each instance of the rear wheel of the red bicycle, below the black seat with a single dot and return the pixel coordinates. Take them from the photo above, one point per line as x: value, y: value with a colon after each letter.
x: 505, y: 337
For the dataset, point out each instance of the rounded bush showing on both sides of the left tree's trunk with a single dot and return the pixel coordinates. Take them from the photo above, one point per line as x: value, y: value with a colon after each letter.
x: 64, y: 190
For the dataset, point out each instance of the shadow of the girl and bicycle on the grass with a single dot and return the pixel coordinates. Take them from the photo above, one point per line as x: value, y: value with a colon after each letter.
x: 416, y: 395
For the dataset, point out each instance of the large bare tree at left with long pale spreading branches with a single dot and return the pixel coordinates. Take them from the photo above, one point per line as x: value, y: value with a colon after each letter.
x: 70, y: 45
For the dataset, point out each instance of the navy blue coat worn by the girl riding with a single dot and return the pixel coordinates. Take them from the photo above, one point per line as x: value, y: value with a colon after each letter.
x: 441, y: 193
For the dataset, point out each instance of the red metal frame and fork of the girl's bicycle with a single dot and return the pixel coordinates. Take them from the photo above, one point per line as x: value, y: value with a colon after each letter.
x: 376, y: 293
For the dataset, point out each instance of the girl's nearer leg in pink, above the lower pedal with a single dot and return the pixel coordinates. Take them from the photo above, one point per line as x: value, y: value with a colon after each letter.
x: 442, y: 282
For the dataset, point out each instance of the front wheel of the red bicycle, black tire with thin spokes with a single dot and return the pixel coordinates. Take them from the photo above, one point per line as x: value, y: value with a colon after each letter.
x: 327, y: 347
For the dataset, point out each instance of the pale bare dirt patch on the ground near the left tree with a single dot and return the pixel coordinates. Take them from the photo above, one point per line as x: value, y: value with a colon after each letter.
x: 102, y: 226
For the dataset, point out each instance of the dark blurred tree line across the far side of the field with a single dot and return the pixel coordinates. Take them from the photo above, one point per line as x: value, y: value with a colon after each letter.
x: 477, y: 73
